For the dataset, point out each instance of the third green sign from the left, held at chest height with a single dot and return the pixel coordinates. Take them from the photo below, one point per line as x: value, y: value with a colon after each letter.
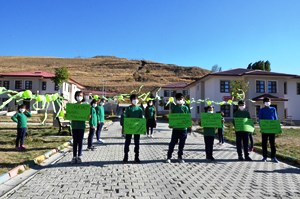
x: 180, y: 120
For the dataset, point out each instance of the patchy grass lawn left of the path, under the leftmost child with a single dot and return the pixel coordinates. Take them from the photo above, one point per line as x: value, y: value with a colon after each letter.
x: 39, y: 140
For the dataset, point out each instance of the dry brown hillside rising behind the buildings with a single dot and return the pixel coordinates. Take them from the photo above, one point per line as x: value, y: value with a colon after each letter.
x: 121, y: 75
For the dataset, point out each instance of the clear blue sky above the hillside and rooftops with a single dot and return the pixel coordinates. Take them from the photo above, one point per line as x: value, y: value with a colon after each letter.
x: 230, y: 33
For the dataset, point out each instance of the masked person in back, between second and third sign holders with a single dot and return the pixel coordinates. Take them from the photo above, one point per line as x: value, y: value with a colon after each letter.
x: 150, y: 115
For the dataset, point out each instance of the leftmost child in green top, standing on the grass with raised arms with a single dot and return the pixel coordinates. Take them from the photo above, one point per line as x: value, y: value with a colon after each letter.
x: 21, y: 119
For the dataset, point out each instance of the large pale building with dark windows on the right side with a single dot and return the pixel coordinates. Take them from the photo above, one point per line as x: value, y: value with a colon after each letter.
x: 283, y: 89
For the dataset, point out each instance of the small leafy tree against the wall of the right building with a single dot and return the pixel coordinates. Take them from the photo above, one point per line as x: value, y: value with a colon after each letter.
x: 239, y: 88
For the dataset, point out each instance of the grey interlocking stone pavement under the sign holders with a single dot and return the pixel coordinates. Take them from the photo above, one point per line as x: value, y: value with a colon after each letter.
x: 103, y: 175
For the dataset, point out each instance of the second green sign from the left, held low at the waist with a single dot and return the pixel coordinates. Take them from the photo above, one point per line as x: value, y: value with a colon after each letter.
x: 134, y: 125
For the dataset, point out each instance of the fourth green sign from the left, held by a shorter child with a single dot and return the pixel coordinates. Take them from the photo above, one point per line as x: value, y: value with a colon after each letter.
x: 211, y: 120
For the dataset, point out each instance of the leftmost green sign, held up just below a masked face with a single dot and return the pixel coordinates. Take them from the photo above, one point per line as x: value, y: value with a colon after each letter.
x: 78, y: 112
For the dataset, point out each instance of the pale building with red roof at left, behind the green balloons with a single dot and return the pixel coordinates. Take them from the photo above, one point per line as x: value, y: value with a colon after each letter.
x: 39, y: 82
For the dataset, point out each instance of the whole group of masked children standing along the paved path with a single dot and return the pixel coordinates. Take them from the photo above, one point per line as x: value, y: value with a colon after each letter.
x: 179, y: 135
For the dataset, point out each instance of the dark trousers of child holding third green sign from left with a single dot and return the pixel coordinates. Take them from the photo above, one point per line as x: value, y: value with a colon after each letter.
x: 180, y: 135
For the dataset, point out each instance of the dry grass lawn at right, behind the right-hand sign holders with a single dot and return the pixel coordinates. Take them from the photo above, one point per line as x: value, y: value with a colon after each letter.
x: 287, y: 143
